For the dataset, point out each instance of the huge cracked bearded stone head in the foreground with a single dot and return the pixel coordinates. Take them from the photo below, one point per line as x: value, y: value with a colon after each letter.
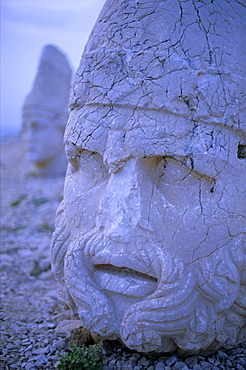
x: 149, y: 245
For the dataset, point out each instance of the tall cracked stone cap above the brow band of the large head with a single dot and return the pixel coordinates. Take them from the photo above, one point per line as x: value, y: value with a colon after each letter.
x: 156, y: 56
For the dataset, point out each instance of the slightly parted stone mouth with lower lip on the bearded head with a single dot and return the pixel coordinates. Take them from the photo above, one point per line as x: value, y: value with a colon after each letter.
x: 124, y: 281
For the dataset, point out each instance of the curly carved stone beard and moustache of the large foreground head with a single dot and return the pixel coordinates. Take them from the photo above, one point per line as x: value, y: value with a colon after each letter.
x: 195, y: 306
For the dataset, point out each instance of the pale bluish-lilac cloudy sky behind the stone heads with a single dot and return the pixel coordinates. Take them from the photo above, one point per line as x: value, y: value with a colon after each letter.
x: 28, y: 25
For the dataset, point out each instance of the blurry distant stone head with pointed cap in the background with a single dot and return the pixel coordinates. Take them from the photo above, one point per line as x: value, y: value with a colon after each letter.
x: 45, y: 113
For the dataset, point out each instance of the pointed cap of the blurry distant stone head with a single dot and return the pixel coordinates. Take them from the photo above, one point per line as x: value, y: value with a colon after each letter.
x: 51, y: 86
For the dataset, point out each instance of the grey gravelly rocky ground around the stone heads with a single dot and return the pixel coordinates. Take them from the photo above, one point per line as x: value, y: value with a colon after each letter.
x: 30, y: 311
